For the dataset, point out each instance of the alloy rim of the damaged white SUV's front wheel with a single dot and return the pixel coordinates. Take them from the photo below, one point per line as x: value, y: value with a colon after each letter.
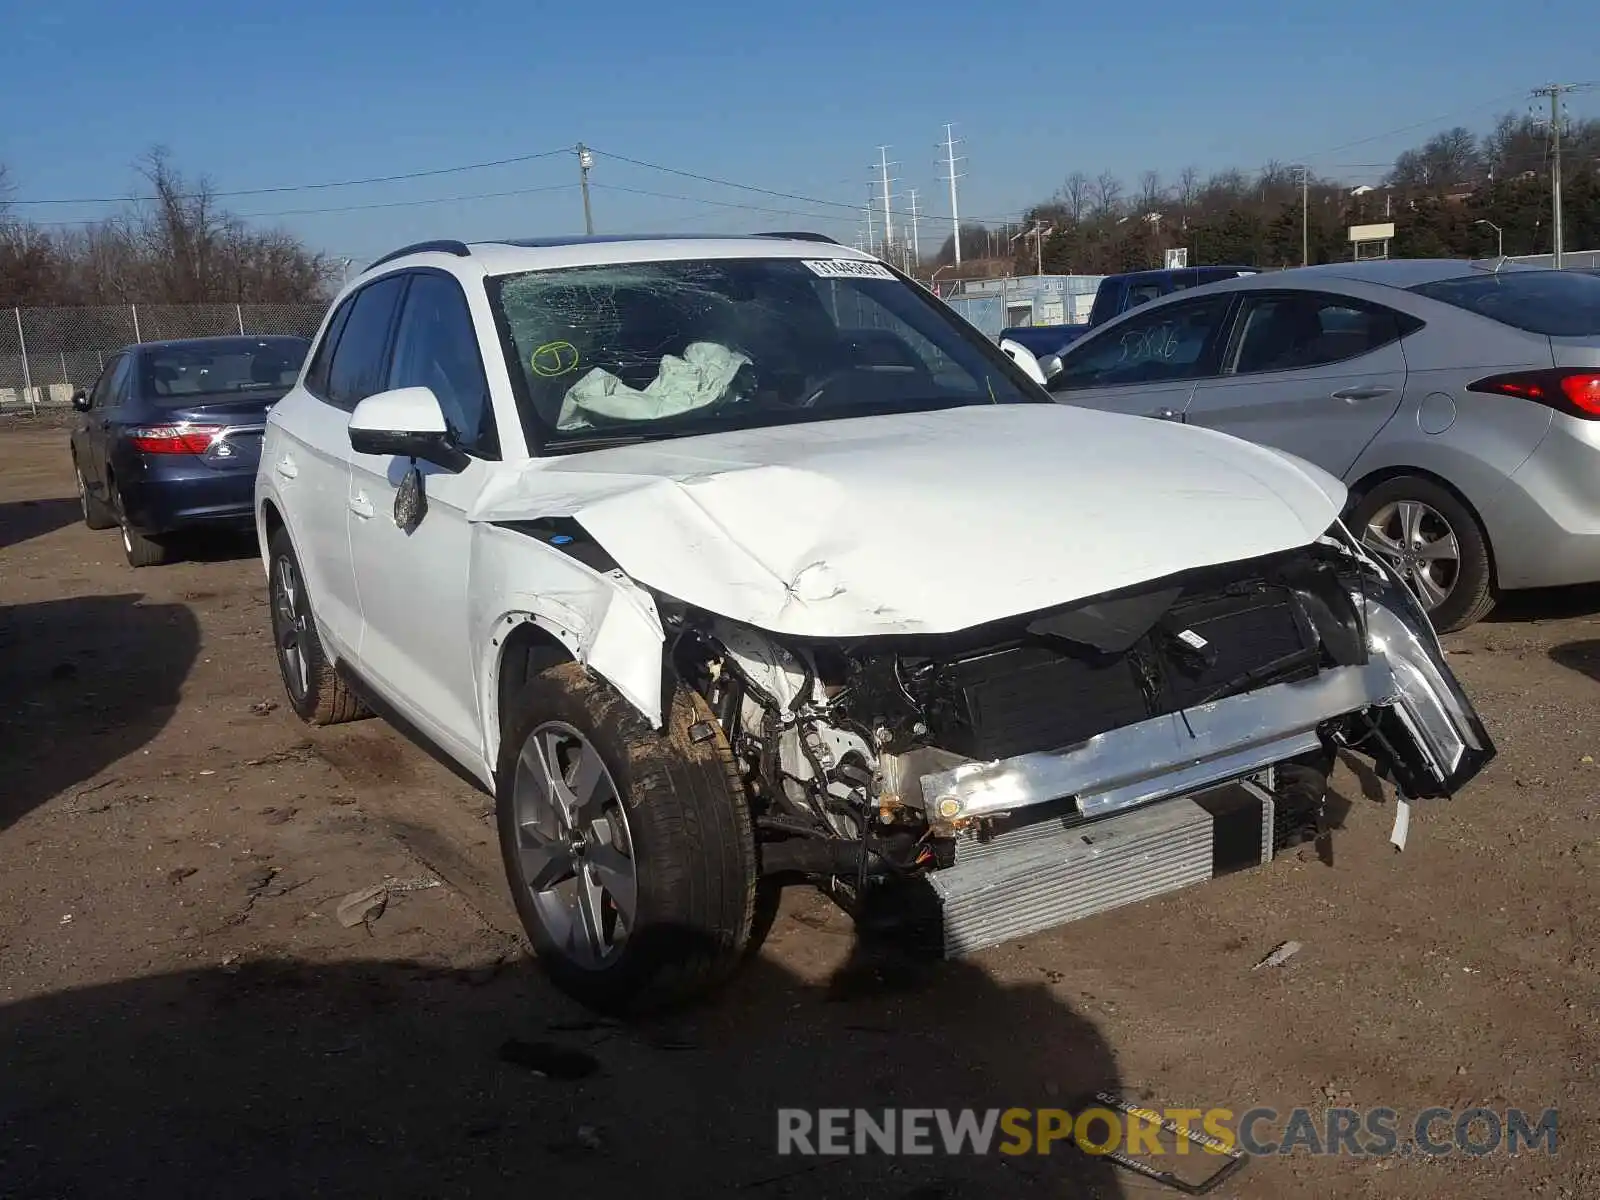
x: 575, y: 850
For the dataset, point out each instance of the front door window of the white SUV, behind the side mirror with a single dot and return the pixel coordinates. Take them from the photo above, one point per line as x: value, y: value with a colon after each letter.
x: 436, y: 346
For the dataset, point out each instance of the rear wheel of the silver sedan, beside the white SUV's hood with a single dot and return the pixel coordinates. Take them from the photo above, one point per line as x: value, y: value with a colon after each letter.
x: 1439, y: 524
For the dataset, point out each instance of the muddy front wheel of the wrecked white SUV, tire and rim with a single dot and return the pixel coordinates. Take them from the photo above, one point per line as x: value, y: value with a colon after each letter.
x: 630, y: 852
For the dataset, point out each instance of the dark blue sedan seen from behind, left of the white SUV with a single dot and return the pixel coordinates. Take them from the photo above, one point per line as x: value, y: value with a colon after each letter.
x: 170, y: 434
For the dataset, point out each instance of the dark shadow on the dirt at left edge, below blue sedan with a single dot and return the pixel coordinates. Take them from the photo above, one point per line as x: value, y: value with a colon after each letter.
x: 84, y: 682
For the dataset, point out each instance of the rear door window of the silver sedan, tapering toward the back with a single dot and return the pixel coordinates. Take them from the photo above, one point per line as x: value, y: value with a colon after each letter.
x: 1292, y: 332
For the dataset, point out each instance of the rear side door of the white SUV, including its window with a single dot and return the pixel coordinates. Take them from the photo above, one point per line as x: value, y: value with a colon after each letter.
x: 308, y: 452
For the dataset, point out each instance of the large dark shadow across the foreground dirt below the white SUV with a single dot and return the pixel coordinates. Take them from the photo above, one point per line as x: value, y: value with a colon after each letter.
x: 399, y: 1079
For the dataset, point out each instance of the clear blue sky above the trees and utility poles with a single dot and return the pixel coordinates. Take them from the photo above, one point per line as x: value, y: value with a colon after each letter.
x: 791, y: 98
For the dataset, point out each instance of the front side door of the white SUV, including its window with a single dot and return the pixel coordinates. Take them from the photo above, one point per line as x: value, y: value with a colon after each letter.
x: 415, y: 639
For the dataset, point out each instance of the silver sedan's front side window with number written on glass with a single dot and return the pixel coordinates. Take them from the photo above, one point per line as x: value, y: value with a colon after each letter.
x: 1177, y: 342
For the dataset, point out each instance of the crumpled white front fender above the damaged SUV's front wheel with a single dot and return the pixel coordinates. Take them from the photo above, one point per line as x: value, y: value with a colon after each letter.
x: 606, y: 620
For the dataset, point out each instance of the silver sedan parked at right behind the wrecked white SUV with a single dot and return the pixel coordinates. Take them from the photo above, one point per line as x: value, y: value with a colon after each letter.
x: 1460, y: 404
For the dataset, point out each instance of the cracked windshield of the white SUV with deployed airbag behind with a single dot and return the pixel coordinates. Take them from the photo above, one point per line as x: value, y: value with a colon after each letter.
x: 660, y: 348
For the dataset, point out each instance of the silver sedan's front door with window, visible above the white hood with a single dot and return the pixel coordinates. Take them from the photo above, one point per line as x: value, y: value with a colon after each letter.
x: 1146, y: 364
